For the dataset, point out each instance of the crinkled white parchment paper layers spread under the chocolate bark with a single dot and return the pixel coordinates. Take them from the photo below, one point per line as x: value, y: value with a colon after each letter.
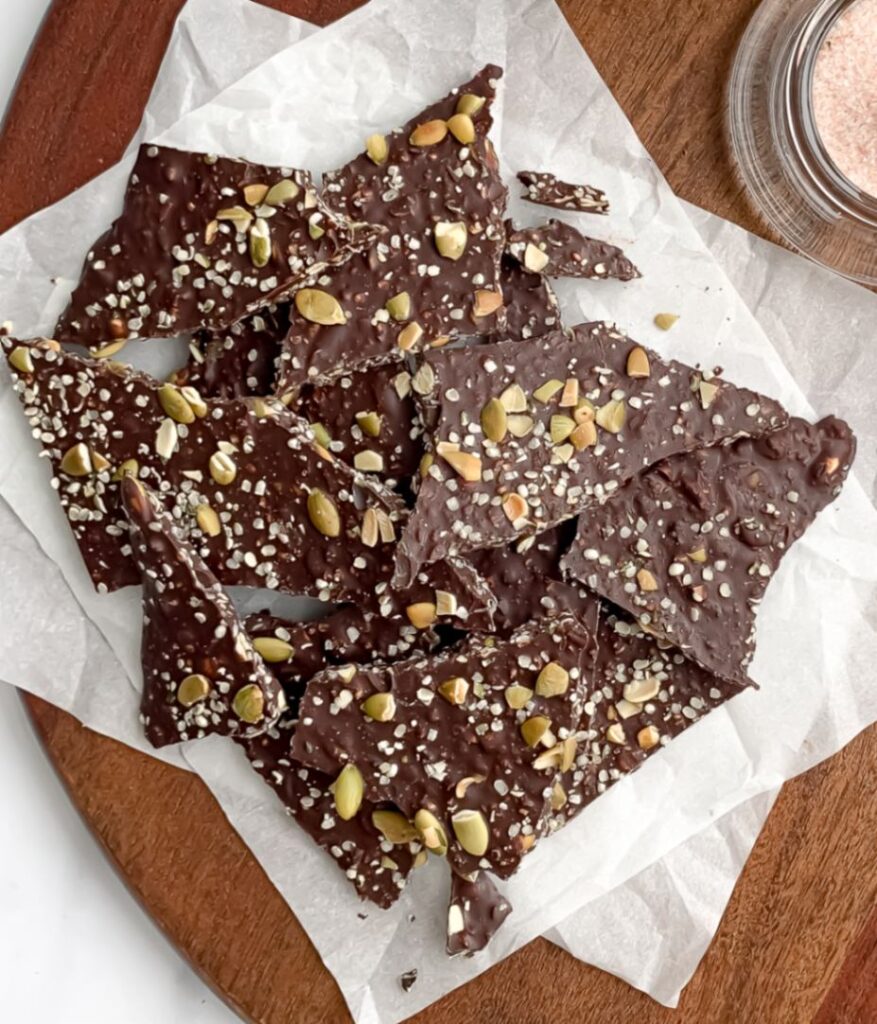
x: 311, y: 105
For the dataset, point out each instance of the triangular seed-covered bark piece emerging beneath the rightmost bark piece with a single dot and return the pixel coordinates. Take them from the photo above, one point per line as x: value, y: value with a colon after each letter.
x: 645, y: 694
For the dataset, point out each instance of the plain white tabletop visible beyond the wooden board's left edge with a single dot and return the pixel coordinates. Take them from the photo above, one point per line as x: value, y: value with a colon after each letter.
x: 75, y: 948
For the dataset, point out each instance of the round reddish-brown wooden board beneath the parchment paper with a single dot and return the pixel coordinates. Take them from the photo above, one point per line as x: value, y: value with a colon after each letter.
x: 800, y: 941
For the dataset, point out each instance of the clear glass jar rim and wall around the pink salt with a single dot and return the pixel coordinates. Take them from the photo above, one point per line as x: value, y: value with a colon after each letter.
x: 791, y: 178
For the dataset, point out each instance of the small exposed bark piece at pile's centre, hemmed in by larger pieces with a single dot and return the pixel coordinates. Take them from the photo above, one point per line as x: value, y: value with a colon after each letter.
x: 371, y: 421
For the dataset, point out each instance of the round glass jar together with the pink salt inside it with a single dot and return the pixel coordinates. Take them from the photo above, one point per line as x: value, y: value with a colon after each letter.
x: 803, y: 124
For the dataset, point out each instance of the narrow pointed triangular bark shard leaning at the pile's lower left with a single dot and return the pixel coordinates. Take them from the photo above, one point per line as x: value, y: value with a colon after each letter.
x: 201, y: 673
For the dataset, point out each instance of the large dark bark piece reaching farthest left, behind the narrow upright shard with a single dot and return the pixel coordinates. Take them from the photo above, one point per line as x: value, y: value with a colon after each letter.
x: 263, y: 504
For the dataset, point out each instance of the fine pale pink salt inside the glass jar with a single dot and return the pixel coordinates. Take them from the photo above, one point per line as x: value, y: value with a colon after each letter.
x: 845, y: 95
